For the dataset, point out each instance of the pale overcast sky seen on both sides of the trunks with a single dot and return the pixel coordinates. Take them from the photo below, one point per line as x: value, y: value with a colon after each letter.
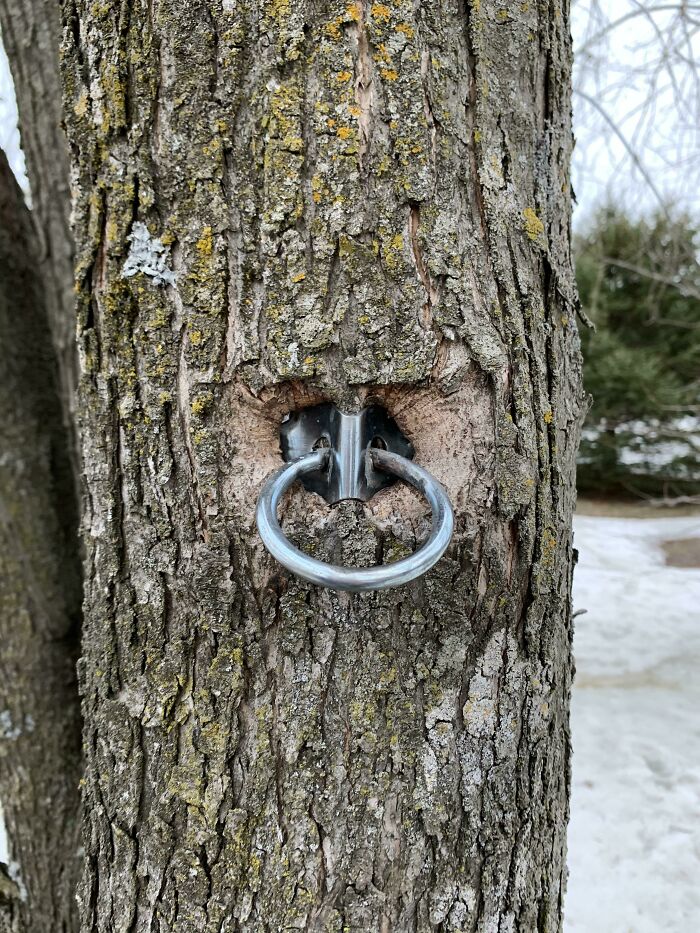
x: 636, y: 106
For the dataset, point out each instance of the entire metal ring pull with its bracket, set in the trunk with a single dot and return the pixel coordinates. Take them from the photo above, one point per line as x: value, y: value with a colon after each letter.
x: 343, y: 456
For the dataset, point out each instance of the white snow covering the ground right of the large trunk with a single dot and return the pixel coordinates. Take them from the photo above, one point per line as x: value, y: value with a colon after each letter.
x: 634, y: 838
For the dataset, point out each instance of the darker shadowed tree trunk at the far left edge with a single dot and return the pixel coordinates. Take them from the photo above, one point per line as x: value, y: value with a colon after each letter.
x: 39, y: 598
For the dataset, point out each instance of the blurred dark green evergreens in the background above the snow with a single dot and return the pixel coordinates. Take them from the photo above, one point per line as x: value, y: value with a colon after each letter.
x: 639, y: 282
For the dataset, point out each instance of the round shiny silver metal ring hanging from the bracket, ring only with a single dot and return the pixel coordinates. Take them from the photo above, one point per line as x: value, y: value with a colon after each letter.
x: 351, y: 578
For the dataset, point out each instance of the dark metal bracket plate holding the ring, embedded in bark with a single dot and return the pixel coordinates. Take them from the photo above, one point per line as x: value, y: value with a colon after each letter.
x: 350, y: 473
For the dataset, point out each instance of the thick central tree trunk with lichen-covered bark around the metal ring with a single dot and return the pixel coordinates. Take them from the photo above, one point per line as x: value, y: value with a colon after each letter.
x: 280, y: 203
